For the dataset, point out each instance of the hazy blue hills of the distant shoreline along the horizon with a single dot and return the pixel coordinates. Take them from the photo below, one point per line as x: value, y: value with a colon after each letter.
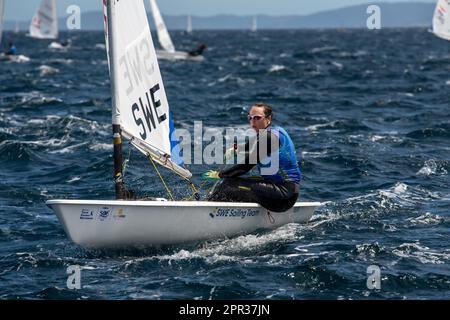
x: 393, y: 15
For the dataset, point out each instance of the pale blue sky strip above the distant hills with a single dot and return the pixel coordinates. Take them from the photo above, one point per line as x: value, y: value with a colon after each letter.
x: 24, y: 9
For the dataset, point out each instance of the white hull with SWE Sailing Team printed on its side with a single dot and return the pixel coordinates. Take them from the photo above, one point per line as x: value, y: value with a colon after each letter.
x: 106, y: 224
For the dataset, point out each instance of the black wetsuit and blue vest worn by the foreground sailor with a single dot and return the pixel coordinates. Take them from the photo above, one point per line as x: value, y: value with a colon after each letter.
x: 277, y: 193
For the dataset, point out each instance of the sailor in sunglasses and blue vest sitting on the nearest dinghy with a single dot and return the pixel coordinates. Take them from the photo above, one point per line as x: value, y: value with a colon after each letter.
x: 277, y: 189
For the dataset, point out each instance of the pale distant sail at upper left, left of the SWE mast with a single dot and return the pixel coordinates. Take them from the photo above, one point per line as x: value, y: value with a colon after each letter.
x: 44, y: 24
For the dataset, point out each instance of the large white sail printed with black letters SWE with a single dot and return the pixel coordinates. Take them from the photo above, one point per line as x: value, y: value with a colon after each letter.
x: 140, y: 104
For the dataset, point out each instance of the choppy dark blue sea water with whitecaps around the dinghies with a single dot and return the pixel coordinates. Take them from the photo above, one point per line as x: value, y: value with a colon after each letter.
x: 368, y: 111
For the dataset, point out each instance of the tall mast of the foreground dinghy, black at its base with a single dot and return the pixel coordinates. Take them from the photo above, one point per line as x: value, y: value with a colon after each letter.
x: 117, y: 133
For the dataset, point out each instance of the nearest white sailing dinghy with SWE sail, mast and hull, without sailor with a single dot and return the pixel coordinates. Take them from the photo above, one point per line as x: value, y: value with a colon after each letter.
x: 135, y: 78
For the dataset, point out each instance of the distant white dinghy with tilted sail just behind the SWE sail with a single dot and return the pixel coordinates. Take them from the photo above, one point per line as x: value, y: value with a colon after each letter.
x: 168, y: 52
